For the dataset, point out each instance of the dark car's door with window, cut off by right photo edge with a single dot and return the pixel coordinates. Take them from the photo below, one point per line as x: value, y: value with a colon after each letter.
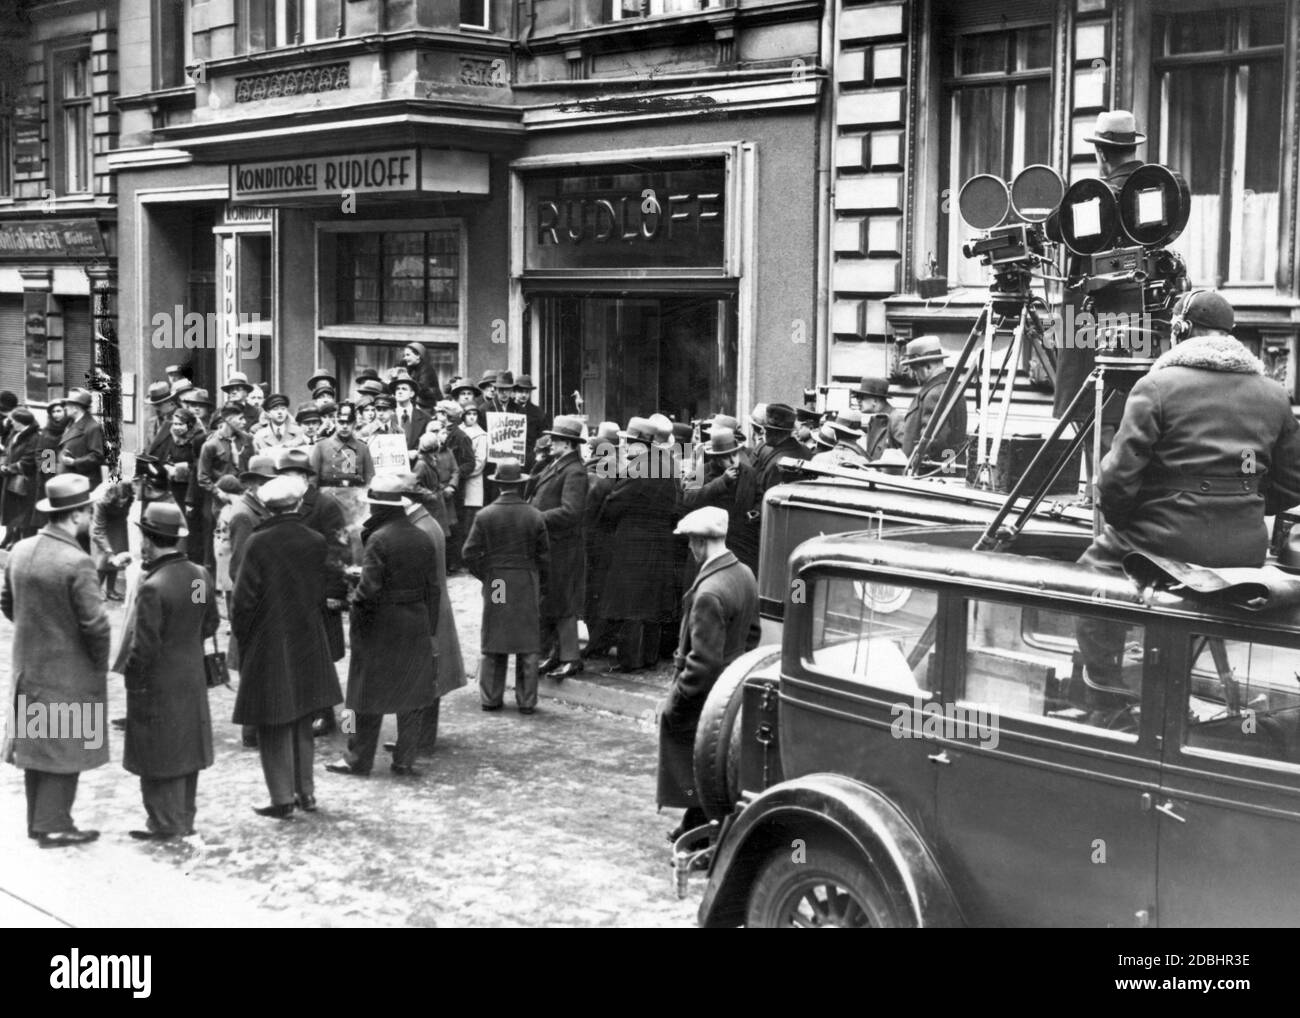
x: 1229, y: 805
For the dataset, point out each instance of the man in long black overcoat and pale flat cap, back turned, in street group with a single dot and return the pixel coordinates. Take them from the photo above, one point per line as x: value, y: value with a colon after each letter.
x: 287, y: 673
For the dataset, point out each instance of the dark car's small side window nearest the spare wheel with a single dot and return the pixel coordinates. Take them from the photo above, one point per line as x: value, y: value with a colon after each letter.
x: 872, y: 633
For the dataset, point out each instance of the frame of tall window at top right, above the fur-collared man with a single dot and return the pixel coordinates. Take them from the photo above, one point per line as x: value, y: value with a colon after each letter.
x: 1234, y: 57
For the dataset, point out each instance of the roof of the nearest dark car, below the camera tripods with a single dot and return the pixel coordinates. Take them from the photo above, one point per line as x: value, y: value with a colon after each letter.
x: 908, y: 553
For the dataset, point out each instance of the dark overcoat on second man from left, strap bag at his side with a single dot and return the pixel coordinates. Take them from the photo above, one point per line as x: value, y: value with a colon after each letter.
x: 168, y: 725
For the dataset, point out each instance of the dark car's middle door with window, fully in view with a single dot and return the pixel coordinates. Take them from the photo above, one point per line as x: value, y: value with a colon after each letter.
x: 1045, y: 800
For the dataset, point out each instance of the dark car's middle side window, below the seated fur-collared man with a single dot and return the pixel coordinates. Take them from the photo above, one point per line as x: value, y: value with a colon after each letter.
x: 1061, y: 668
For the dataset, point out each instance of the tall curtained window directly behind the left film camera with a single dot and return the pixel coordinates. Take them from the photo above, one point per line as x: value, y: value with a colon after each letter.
x: 998, y: 97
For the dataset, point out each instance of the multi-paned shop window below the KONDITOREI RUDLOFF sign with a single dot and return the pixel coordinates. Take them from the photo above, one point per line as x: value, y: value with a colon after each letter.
x: 398, y: 279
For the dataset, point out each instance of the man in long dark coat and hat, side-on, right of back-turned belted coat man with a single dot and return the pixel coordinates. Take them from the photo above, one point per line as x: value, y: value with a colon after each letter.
x: 560, y: 493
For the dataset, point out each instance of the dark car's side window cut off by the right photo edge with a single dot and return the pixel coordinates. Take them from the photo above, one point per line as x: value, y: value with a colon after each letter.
x: 1243, y: 699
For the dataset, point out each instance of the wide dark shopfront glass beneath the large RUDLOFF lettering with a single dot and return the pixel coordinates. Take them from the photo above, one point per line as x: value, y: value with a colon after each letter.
x: 636, y: 354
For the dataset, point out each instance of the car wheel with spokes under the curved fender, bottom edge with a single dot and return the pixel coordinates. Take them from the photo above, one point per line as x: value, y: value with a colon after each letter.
x: 822, y: 889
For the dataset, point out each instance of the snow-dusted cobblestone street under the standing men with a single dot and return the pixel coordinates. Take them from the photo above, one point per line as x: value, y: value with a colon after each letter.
x: 543, y: 821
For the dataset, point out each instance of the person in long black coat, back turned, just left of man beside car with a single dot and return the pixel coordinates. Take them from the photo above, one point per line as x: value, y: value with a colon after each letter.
x: 640, y: 586
